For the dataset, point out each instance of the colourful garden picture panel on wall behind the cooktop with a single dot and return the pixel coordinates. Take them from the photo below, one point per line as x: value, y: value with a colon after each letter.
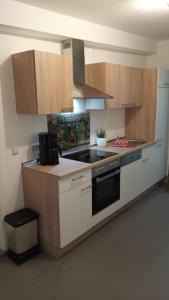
x: 72, y: 129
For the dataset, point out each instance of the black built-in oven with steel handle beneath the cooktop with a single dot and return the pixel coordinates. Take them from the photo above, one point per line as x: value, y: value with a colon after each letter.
x: 105, y: 185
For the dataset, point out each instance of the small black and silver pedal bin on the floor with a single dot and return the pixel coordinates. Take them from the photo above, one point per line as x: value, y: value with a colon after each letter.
x: 22, y: 231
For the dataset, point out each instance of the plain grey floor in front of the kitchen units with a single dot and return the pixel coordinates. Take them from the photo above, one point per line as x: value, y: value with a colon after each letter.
x: 127, y: 259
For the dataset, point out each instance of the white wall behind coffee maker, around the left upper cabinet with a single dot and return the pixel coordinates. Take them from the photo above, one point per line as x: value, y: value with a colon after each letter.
x: 15, y: 130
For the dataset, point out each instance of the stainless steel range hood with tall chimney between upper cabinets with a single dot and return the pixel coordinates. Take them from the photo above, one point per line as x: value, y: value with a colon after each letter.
x: 75, y: 48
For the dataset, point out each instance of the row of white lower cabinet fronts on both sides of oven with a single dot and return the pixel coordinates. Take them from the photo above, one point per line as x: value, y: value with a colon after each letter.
x: 75, y: 197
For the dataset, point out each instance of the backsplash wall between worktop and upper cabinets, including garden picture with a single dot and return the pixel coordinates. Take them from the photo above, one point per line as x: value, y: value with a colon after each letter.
x: 77, y: 129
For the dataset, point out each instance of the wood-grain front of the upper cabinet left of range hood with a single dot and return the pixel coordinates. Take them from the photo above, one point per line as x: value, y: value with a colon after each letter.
x: 54, y: 82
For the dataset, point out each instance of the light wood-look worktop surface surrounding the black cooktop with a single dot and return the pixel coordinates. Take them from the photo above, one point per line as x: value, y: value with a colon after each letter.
x: 69, y: 167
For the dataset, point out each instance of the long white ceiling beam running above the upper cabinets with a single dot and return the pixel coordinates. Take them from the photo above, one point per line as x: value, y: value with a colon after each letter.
x: 23, y: 16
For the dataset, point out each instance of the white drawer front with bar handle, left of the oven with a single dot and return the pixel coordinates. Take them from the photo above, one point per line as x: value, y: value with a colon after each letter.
x: 74, y: 181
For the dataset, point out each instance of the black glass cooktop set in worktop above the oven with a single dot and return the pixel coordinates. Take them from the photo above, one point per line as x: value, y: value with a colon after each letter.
x: 89, y: 155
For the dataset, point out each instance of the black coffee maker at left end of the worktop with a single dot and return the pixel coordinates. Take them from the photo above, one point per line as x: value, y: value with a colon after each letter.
x: 48, y: 148
